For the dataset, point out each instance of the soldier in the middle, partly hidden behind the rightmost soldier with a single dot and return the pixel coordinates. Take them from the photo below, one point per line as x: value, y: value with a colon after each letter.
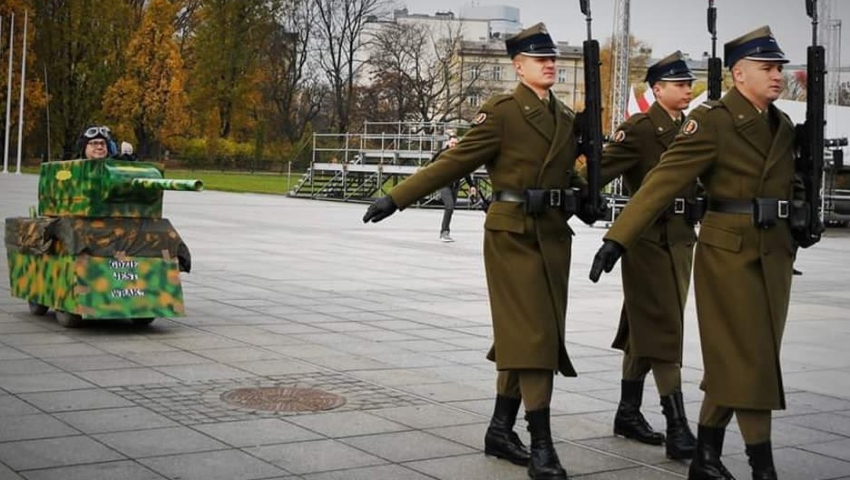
x: 656, y: 270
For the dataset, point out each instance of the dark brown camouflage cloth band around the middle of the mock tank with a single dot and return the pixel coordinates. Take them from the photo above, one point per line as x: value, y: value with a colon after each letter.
x: 98, y: 237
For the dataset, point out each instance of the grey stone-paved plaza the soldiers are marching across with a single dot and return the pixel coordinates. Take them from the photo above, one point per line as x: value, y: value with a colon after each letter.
x: 297, y: 293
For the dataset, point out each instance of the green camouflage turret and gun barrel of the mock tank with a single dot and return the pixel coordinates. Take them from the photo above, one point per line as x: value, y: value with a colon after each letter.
x: 105, y: 188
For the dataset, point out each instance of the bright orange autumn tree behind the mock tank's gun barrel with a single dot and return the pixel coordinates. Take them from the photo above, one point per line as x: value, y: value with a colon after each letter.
x: 148, y: 103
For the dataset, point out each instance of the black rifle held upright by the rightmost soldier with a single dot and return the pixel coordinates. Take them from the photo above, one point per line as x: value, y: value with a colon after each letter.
x: 811, y: 135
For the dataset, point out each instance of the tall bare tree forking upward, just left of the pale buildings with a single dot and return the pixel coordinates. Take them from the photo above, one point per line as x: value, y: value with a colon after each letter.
x: 340, y: 24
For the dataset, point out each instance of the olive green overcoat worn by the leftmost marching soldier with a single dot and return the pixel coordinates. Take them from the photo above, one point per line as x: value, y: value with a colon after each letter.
x: 523, y: 145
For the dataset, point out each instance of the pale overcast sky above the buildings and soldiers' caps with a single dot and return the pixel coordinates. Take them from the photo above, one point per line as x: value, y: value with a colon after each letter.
x: 669, y: 25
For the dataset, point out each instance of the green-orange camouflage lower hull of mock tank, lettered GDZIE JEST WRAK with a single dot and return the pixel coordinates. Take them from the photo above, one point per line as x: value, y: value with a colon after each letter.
x: 98, y: 287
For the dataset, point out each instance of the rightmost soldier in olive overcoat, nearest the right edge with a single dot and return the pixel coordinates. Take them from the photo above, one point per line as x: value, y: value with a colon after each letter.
x: 742, y: 150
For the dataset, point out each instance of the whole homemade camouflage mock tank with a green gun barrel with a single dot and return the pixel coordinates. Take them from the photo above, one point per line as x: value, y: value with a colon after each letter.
x: 99, y: 247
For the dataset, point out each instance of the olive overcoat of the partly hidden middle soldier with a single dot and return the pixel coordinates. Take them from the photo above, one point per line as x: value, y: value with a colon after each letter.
x: 656, y: 270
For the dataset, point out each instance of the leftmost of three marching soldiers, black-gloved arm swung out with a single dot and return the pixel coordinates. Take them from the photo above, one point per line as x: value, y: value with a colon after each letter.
x: 526, y: 141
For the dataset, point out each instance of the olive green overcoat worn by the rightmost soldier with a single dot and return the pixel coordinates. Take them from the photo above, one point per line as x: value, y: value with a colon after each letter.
x: 742, y: 273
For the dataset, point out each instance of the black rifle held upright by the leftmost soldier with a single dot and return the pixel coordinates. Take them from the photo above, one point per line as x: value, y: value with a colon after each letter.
x: 590, y: 139
